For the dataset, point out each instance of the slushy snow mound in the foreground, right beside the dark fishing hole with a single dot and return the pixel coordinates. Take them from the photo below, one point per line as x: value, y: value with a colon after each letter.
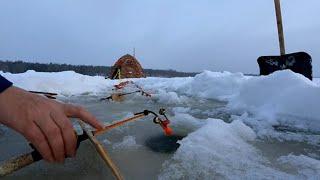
x: 219, y: 151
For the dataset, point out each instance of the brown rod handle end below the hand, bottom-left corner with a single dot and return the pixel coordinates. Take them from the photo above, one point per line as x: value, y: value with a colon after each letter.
x: 19, y: 162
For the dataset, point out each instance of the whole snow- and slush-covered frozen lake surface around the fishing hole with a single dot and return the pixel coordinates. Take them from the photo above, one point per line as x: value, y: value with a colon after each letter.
x: 234, y: 127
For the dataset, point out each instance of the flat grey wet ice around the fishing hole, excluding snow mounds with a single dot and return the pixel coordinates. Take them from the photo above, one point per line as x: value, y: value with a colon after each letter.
x: 136, y: 161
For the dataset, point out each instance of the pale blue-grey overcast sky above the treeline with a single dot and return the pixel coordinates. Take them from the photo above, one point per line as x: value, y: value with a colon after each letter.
x: 185, y: 35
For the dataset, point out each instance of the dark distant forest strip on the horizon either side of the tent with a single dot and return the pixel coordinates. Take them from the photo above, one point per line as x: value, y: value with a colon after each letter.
x: 20, y: 67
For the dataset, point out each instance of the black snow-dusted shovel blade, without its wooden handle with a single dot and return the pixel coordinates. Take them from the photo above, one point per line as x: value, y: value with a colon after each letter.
x: 299, y: 62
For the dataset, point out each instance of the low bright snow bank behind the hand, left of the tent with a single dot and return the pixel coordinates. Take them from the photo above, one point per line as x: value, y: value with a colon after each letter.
x: 64, y: 83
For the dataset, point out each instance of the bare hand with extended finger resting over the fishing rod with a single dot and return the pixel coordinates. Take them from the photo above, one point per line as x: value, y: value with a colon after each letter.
x: 43, y: 122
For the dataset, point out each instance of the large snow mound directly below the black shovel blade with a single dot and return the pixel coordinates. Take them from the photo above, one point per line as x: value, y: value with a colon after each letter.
x: 281, y: 92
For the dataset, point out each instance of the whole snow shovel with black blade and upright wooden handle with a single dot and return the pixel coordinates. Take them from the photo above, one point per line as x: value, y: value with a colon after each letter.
x: 299, y: 62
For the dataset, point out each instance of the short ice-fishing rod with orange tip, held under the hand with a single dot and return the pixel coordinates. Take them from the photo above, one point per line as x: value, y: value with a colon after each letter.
x: 11, y: 165
